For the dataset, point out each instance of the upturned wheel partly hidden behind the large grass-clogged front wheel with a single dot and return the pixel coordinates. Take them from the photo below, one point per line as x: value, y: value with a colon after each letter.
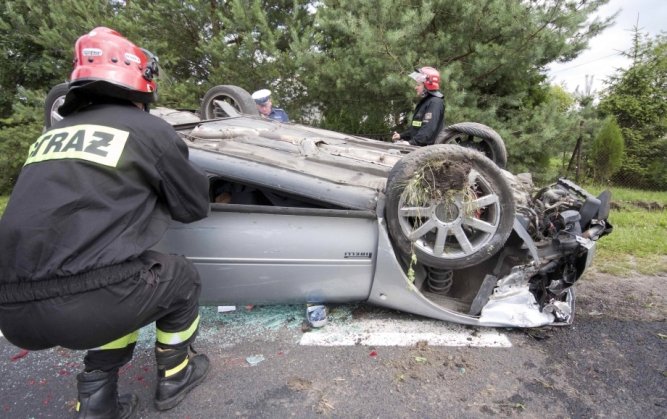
x: 478, y: 137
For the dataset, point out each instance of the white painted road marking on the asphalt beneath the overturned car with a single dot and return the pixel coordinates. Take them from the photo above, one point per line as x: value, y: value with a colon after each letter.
x: 385, y: 332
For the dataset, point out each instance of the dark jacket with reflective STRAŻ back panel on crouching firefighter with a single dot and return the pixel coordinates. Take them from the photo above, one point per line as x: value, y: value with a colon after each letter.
x: 97, y: 189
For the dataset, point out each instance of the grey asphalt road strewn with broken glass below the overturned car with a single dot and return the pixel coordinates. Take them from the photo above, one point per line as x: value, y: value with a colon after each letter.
x: 600, y: 367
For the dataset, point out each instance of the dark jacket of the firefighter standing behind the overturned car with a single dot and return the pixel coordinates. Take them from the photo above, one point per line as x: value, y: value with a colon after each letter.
x: 427, y: 121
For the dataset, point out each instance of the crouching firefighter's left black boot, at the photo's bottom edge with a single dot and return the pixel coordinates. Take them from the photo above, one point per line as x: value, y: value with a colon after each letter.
x: 98, y: 397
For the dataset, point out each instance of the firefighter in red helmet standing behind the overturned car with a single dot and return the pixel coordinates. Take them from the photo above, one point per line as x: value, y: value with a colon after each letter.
x: 429, y: 116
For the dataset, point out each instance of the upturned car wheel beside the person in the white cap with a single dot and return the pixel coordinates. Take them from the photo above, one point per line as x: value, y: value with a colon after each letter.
x: 226, y: 100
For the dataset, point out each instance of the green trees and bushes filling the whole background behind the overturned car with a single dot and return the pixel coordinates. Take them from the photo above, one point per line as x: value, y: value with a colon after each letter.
x: 343, y: 65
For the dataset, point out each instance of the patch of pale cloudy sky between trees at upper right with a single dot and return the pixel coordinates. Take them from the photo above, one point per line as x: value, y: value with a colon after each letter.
x: 603, y: 56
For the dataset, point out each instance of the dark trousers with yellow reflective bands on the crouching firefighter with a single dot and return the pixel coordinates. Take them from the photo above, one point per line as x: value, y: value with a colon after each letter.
x: 106, y: 321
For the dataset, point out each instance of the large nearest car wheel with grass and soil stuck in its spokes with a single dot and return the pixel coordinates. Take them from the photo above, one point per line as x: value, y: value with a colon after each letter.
x: 449, y: 206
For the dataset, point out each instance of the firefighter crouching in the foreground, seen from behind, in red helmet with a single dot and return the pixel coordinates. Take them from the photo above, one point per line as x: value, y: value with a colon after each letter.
x: 97, y: 190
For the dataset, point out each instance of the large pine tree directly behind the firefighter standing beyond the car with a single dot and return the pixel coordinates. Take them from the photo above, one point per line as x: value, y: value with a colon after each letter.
x: 491, y: 56
